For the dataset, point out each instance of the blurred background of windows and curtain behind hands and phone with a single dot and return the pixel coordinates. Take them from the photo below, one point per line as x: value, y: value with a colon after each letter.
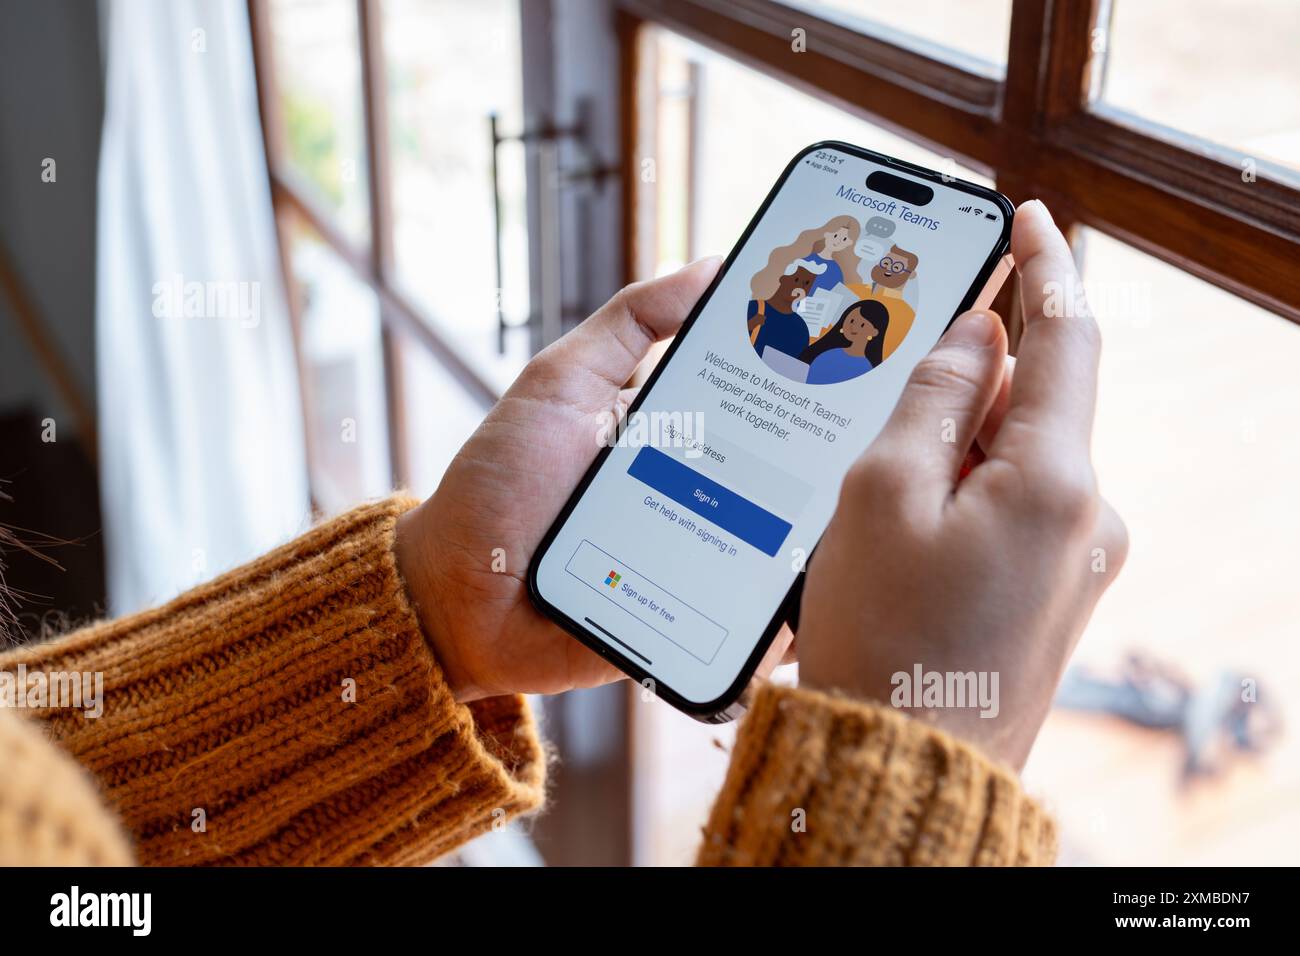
x: 262, y: 261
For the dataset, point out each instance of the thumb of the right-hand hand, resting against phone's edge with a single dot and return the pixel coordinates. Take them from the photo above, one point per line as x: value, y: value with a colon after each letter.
x: 946, y: 401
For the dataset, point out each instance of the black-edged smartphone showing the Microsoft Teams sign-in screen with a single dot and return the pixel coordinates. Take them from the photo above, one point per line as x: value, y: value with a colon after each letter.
x: 682, y: 552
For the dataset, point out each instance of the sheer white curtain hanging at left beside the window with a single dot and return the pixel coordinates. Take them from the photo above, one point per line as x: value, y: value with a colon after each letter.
x: 202, y: 445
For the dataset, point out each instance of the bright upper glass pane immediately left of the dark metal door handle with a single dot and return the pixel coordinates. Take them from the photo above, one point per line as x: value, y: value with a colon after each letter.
x: 441, y: 163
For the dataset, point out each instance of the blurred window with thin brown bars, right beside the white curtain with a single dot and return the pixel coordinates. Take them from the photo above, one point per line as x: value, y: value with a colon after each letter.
x: 375, y: 201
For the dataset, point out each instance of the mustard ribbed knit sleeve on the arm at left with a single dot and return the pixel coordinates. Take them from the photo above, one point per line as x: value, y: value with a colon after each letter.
x: 292, y: 712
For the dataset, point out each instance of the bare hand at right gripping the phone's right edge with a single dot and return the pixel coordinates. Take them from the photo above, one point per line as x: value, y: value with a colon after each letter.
x: 1002, y: 572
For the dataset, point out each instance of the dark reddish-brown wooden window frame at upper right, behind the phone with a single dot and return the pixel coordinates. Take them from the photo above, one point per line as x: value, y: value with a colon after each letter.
x: 1035, y: 132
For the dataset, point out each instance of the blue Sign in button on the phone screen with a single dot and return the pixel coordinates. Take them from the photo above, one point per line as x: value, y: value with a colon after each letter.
x: 710, y: 500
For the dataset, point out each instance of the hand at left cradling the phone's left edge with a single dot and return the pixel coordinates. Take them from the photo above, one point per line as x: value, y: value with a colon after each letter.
x: 465, y: 552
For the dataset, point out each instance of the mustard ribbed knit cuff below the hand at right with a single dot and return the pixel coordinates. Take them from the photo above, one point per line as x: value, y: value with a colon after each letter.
x: 825, y: 781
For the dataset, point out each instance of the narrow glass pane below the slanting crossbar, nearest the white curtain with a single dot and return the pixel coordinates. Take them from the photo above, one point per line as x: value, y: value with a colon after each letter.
x: 344, y: 362
